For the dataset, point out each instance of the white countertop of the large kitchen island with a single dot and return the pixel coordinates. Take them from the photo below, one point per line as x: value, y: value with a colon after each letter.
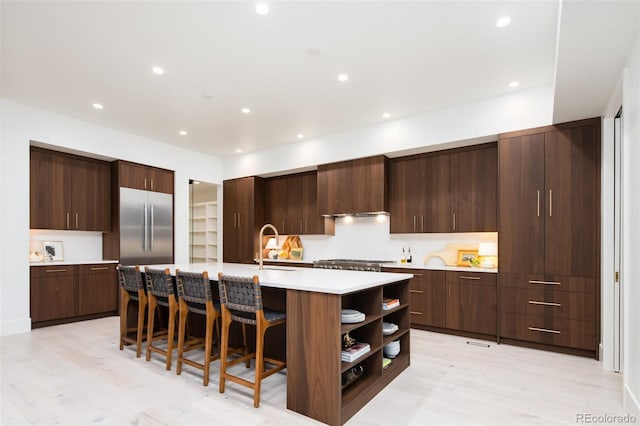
x: 292, y: 278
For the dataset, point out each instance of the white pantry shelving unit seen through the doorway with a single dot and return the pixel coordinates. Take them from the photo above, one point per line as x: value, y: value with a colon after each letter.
x: 204, y: 232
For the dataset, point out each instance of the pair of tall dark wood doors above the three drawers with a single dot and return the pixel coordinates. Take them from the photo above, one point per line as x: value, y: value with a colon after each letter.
x: 549, y: 192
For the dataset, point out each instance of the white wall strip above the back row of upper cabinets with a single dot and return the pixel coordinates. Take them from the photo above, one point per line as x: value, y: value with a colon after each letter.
x: 438, y: 130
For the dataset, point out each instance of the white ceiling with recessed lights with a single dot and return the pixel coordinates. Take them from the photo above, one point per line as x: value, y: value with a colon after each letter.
x: 402, y: 57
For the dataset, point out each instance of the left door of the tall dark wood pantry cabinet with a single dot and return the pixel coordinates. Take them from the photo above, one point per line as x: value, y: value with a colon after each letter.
x: 522, y: 204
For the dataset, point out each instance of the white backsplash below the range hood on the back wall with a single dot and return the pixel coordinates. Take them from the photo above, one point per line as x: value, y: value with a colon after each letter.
x: 369, y: 238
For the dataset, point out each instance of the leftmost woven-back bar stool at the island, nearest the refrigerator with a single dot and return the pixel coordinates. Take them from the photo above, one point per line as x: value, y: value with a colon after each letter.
x: 131, y: 289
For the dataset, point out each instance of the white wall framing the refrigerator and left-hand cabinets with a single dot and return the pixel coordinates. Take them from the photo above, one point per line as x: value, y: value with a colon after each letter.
x: 20, y: 124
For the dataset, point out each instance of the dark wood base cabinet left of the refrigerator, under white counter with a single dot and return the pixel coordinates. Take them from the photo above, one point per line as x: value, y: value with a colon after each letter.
x: 67, y: 293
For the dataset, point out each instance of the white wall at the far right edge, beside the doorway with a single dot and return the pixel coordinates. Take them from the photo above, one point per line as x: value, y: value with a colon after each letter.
x: 631, y: 226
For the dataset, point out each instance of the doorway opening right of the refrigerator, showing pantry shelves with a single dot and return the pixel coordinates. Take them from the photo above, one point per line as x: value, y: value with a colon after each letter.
x: 203, y: 222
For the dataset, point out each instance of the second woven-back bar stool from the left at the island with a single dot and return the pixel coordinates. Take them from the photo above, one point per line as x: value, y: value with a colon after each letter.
x: 160, y: 292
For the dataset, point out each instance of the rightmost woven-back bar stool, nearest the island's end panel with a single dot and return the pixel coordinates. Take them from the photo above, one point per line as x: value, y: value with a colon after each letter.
x: 241, y: 300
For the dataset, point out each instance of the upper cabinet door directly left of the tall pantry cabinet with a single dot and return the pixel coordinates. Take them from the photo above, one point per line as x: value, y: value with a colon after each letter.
x: 474, y: 187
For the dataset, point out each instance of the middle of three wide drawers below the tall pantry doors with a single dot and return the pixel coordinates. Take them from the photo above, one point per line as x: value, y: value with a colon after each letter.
x: 548, y: 302
